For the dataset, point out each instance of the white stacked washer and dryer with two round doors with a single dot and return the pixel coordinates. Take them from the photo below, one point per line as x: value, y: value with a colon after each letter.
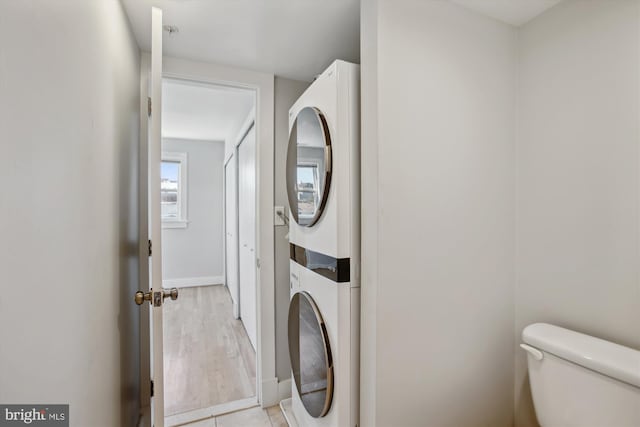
x: 323, y: 184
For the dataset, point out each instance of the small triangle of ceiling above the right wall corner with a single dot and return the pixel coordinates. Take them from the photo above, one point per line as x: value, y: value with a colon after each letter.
x: 514, y: 12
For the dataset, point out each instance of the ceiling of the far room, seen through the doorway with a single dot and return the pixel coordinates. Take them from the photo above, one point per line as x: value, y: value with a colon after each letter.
x: 203, y: 112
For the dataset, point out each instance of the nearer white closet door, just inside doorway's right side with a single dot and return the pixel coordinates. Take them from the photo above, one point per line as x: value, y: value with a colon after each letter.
x: 247, y: 232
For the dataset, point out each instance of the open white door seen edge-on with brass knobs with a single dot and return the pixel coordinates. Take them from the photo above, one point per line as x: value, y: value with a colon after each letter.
x: 155, y: 295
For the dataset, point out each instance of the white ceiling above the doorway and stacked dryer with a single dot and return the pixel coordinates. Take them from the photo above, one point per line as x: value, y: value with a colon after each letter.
x: 297, y: 39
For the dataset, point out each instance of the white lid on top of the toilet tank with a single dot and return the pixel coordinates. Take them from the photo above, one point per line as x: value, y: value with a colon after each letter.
x: 607, y: 358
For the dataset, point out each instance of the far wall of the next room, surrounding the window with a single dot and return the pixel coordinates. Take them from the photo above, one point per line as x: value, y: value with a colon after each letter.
x: 195, y: 255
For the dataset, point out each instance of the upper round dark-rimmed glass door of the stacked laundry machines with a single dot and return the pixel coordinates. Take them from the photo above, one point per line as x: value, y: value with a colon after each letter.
x: 308, y: 166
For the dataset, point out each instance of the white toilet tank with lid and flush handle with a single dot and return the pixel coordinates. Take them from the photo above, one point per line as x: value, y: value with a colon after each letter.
x: 581, y: 381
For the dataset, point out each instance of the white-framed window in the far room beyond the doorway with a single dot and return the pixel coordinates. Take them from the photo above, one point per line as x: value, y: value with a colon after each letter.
x: 173, y: 190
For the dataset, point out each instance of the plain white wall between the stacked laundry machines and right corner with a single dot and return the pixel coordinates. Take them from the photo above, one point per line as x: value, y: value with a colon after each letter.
x: 438, y: 240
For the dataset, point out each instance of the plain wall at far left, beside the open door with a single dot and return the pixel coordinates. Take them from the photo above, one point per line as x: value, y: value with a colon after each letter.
x: 68, y: 255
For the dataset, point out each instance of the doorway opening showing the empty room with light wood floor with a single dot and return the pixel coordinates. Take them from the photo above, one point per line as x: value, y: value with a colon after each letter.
x: 209, y: 333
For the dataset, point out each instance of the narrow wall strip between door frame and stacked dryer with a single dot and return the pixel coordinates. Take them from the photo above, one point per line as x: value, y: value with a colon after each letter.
x: 287, y: 93
